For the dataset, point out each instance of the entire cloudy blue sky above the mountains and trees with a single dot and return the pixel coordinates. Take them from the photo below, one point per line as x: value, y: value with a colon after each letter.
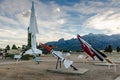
x: 57, y: 19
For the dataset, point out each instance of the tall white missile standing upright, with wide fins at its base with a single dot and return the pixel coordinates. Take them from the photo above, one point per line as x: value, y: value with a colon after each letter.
x: 33, y: 29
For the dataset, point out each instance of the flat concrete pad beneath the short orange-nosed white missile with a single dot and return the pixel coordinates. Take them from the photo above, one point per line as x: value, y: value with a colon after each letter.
x: 66, y: 71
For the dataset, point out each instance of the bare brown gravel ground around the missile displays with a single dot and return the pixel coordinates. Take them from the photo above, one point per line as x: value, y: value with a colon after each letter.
x: 29, y: 70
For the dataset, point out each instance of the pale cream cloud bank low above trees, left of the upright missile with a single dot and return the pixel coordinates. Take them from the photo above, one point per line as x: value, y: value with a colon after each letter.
x: 11, y: 37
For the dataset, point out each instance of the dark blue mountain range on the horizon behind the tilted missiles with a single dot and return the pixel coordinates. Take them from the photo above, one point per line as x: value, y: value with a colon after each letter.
x: 99, y: 41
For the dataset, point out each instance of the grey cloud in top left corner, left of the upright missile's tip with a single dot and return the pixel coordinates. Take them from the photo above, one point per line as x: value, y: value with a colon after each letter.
x: 12, y: 7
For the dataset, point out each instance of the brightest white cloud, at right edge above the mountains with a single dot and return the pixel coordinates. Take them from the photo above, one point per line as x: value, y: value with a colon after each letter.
x: 109, y: 22
